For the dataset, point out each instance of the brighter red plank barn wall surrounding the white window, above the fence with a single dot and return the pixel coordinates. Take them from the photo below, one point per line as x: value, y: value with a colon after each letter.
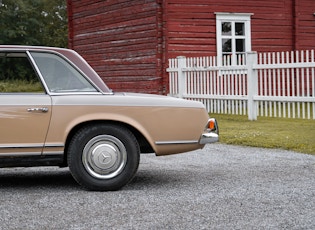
x: 281, y: 25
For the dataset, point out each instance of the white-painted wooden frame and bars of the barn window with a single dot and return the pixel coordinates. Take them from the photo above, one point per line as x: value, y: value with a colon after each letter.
x: 234, y: 18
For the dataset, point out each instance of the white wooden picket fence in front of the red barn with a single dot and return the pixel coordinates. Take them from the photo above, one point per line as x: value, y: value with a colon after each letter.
x: 278, y: 84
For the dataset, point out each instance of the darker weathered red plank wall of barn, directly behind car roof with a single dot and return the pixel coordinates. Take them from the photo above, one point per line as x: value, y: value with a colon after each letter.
x: 121, y: 39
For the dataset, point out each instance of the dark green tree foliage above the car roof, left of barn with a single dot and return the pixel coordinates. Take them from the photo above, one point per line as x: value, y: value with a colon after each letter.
x: 33, y: 22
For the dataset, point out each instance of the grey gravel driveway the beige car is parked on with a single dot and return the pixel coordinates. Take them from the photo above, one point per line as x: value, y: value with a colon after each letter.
x: 219, y: 187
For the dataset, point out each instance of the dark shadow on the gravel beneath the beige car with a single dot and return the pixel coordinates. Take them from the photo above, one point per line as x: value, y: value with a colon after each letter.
x: 61, y: 179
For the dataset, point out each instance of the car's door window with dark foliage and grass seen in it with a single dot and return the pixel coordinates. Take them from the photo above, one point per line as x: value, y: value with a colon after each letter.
x: 17, y: 74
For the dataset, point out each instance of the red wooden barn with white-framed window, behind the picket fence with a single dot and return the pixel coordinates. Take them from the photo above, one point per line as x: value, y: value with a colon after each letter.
x: 129, y: 42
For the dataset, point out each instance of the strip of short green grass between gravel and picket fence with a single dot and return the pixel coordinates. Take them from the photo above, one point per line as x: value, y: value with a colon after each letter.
x: 290, y: 134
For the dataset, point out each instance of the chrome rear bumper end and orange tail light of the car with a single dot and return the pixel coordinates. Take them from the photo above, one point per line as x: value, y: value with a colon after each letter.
x: 211, y: 133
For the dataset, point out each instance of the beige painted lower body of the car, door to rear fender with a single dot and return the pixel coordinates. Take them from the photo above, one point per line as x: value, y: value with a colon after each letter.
x: 169, y: 125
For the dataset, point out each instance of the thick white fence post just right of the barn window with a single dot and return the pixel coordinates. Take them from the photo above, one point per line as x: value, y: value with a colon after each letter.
x: 252, y: 85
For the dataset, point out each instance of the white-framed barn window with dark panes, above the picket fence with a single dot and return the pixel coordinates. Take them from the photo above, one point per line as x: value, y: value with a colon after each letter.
x: 233, y: 37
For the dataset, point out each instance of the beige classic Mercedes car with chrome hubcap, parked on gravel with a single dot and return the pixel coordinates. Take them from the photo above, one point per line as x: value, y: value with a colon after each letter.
x: 56, y: 111
